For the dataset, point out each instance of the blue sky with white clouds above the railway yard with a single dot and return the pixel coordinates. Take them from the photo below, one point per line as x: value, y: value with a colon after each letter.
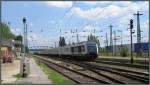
x: 48, y: 20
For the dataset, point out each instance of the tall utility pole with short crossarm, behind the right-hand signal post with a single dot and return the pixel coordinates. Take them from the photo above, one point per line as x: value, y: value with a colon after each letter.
x: 138, y: 32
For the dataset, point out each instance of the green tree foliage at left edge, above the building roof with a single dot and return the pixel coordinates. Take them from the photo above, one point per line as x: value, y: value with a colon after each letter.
x: 5, y: 32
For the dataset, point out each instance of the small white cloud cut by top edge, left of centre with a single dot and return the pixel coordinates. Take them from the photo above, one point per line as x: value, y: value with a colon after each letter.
x: 59, y: 4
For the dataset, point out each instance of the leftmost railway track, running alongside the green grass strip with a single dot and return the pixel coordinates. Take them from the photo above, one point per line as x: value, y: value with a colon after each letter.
x: 74, y: 75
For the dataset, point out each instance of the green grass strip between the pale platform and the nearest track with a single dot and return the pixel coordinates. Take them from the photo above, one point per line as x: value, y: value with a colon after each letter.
x: 54, y: 76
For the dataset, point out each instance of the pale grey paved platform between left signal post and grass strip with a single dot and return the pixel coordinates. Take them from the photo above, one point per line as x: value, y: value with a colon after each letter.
x: 36, y: 76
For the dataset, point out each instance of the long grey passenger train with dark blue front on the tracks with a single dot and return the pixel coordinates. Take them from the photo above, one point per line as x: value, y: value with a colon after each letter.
x: 87, y: 50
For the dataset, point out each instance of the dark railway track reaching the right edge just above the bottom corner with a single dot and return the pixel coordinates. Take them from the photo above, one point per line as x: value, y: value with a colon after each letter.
x: 143, y: 77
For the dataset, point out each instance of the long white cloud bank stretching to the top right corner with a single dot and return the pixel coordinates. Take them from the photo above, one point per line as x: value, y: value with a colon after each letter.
x: 112, y: 10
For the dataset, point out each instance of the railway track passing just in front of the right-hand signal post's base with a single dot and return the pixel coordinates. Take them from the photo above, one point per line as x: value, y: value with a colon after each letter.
x: 124, y: 64
